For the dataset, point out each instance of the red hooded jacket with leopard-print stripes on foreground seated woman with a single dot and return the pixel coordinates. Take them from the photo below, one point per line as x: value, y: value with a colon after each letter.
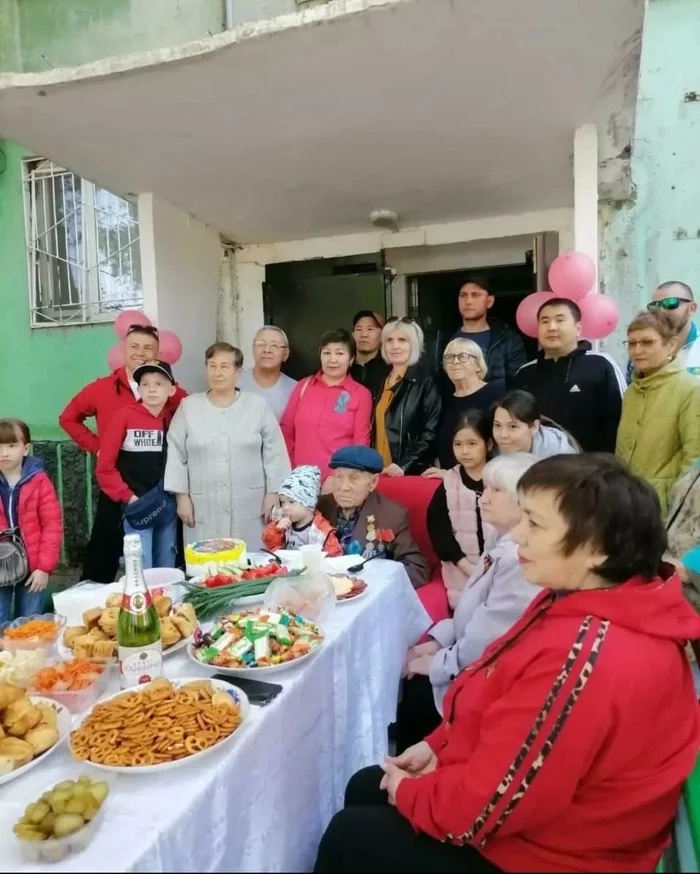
x: 565, y: 747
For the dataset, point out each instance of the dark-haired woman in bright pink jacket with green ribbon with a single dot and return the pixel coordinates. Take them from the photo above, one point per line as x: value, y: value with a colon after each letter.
x: 329, y: 410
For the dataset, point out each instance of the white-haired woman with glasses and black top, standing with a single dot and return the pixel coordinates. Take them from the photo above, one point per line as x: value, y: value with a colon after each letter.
x: 465, y: 365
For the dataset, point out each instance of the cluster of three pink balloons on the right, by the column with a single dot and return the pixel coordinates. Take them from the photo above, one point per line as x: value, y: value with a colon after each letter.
x: 572, y: 275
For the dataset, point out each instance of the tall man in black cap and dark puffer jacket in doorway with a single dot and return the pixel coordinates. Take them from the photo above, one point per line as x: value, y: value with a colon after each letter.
x: 502, y: 346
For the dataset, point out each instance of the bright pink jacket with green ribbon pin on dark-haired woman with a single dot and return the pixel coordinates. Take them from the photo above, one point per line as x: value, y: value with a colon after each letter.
x: 321, y: 418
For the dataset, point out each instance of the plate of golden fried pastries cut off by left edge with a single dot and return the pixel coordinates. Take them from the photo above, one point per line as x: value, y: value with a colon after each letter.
x: 31, y: 728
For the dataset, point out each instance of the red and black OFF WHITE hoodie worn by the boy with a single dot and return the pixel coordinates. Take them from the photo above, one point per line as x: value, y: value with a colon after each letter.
x: 132, y: 452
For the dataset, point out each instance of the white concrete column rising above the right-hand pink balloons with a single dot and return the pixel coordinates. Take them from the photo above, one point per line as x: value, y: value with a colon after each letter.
x: 586, y: 192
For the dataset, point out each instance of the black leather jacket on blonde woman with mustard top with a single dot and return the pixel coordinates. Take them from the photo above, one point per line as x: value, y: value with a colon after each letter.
x: 412, y: 421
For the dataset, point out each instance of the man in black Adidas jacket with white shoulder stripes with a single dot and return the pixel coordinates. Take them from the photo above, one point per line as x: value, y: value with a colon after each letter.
x: 579, y: 389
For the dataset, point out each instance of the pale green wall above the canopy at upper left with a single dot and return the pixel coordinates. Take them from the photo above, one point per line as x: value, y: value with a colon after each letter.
x: 59, y: 33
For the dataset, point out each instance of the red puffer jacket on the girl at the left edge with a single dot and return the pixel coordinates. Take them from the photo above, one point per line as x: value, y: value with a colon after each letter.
x: 33, y: 507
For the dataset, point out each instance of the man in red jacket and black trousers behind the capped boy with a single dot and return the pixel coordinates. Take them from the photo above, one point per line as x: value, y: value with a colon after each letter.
x: 101, y: 399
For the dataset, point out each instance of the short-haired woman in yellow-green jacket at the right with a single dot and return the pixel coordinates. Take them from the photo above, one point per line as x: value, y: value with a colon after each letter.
x: 659, y: 433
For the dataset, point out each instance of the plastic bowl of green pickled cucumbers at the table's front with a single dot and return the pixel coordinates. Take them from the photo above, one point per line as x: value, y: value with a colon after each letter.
x: 62, y: 821
